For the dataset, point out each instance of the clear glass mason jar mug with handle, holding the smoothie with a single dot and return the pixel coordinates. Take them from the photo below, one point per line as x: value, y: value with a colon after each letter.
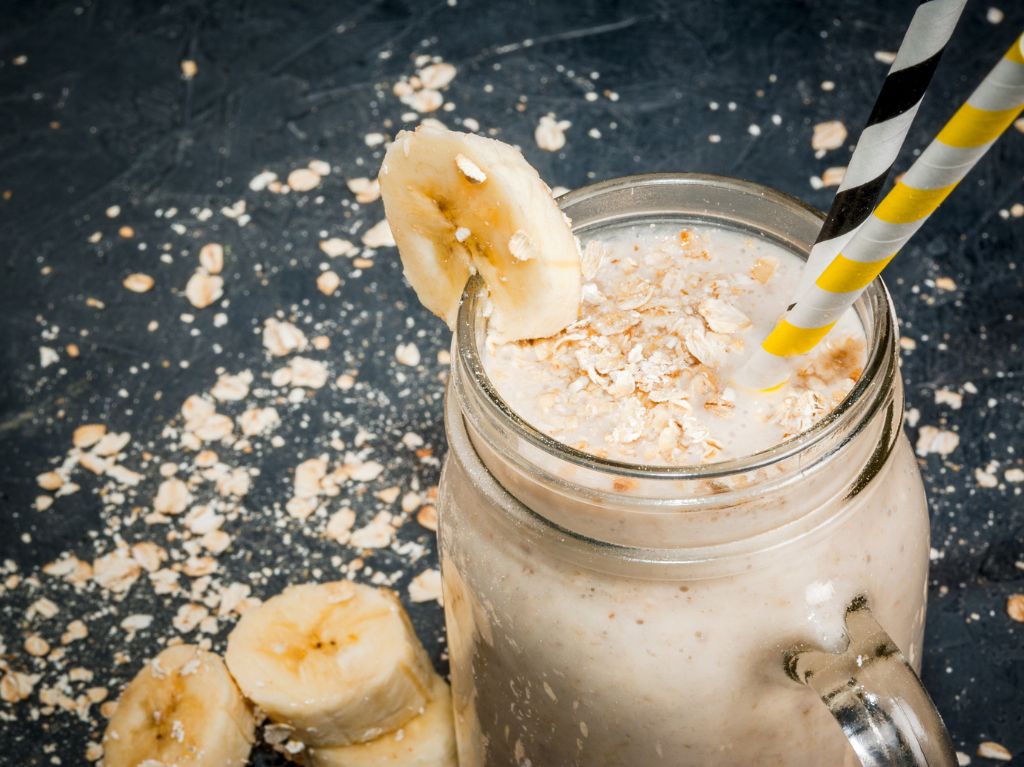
x: 606, y: 615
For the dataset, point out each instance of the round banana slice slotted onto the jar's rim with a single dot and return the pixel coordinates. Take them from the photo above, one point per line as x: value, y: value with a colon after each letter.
x: 459, y: 203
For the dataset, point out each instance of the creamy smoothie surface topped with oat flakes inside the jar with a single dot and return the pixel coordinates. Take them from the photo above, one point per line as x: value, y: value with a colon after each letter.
x: 667, y: 316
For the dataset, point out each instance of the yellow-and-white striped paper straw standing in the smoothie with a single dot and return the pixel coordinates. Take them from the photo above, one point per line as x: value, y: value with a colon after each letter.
x: 964, y: 141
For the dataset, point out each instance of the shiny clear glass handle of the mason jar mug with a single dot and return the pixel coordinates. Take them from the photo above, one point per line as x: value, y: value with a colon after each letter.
x: 876, y: 697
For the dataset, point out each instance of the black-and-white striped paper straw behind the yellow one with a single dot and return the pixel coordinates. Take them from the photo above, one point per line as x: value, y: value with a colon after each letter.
x: 885, y: 133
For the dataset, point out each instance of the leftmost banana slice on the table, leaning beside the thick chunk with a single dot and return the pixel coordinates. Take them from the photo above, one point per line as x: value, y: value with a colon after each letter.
x: 184, y: 710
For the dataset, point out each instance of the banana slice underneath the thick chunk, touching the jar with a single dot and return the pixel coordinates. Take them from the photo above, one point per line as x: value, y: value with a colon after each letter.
x: 428, y: 741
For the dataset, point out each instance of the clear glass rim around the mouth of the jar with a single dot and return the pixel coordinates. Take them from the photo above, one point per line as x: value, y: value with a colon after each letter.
x: 875, y: 305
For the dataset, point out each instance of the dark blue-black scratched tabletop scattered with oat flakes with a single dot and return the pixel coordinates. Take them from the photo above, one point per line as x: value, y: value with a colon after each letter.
x: 100, y: 115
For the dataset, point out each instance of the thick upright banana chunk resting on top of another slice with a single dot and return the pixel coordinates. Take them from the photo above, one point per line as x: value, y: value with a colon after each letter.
x: 339, y: 662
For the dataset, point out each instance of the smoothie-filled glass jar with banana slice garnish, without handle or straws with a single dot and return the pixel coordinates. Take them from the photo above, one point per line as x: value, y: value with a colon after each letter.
x: 632, y: 548
